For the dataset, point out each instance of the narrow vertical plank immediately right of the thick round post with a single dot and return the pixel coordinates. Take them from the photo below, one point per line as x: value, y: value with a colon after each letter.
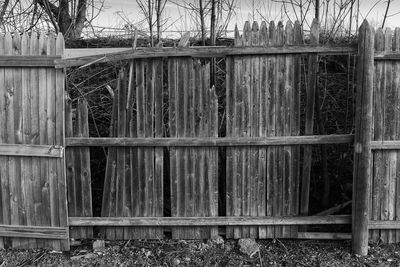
x: 378, y: 155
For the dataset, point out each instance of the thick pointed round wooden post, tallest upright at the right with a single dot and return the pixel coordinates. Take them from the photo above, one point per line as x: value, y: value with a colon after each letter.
x: 362, y: 140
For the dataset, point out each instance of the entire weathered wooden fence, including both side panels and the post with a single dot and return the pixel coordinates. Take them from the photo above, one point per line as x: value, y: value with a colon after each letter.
x: 163, y: 166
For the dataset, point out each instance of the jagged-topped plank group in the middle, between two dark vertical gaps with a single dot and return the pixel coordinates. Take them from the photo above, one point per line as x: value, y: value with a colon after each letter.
x: 193, y: 112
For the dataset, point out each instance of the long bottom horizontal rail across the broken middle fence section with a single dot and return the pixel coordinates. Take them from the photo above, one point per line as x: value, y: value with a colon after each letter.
x: 209, y: 221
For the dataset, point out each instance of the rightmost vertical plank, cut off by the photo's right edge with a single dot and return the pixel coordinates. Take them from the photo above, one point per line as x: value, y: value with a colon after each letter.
x: 396, y: 85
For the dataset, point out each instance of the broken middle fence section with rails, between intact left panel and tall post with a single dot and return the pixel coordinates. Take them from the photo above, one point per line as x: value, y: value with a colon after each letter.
x: 163, y: 167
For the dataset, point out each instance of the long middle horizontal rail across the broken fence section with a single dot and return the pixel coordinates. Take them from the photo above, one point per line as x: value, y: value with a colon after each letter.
x: 211, y: 142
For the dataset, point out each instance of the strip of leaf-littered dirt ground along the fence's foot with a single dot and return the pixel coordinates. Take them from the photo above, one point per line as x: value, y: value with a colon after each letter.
x: 207, y: 253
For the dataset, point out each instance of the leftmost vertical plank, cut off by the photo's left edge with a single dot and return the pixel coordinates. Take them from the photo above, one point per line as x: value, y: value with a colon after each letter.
x: 4, y: 206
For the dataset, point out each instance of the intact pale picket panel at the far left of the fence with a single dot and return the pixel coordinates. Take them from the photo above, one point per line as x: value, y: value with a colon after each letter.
x: 33, y: 190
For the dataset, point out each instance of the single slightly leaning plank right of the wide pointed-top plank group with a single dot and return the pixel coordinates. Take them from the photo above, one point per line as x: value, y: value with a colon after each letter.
x: 309, y: 123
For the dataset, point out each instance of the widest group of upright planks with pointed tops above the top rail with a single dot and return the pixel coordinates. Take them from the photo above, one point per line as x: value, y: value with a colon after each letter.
x: 263, y: 94
